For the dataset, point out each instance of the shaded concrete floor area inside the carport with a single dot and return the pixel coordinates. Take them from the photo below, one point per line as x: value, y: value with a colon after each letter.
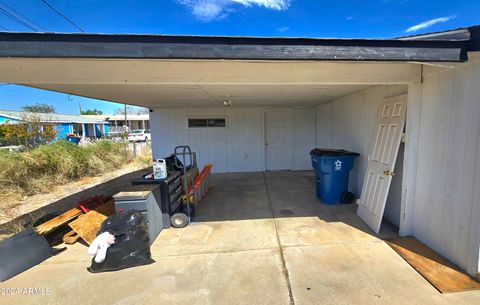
x: 284, y: 194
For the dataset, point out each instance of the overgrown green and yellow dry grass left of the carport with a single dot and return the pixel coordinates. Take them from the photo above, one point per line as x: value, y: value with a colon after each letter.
x: 41, y: 169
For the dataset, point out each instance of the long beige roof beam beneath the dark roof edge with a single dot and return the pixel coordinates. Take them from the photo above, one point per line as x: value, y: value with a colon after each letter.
x: 38, y: 72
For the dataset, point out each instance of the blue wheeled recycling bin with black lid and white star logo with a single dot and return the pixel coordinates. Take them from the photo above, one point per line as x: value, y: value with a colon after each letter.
x: 332, y: 169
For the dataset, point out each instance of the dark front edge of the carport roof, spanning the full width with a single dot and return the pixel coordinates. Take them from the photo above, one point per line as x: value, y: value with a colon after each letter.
x: 443, y: 48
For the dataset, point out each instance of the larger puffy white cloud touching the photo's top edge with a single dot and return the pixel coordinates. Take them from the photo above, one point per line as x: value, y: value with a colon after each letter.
x: 208, y: 10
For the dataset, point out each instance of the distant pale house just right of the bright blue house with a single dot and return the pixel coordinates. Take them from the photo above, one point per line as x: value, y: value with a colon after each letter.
x: 116, y: 122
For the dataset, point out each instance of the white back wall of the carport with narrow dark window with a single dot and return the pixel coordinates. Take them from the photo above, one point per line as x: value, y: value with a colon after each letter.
x: 238, y: 148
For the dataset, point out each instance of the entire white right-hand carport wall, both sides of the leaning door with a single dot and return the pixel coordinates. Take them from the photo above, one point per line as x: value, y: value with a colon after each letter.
x: 447, y: 199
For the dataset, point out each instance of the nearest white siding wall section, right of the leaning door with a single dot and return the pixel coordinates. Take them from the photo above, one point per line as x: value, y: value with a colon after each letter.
x: 447, y: 201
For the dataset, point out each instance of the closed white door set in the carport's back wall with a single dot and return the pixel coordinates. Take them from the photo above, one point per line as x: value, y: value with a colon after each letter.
x: 278, y: 140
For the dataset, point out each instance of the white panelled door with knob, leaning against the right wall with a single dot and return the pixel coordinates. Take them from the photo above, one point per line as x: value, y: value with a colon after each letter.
x: 382, y: 161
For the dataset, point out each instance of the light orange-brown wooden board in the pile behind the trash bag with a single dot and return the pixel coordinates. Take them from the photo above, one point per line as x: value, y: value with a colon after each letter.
x: 87, y: 226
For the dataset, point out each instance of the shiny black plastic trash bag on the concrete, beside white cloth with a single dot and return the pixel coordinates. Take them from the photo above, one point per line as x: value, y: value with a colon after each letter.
x: 131, y: 247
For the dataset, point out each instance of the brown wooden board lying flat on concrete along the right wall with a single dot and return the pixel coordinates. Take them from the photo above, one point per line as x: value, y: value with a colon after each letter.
x: 434, y: 268
